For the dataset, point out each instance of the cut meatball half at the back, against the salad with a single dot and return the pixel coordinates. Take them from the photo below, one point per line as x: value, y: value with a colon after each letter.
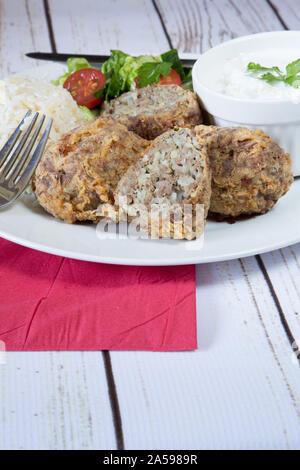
x: 152, y: 110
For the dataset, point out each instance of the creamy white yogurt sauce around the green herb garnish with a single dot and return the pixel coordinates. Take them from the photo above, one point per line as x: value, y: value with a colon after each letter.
x: 236, y: 81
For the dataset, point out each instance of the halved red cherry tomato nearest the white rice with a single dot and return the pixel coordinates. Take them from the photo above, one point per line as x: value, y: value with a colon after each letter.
x: 83, y: 84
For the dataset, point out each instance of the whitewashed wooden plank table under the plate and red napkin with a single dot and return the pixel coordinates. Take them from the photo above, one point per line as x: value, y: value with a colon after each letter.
x: 241, y: 388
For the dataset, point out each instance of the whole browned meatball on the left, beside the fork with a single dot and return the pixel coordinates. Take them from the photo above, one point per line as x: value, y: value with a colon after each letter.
x: 82, y: 169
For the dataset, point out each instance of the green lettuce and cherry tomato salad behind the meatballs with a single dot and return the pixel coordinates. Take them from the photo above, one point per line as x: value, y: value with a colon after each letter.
x: 122, y: 72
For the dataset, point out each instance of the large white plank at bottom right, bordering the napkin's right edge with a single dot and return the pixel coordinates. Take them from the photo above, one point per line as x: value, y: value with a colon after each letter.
x: 239, y: 390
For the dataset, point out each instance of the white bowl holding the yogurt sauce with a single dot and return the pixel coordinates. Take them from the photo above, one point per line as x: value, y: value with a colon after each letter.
x: 279, y: 119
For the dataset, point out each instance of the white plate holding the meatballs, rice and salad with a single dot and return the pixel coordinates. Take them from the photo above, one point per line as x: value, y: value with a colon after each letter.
x: 27, y: 224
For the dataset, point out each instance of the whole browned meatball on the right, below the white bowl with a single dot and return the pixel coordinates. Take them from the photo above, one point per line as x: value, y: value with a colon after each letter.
x: 250, y: 171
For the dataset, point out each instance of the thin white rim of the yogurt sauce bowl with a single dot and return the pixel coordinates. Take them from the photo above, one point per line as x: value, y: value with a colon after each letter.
x: 225, y: 44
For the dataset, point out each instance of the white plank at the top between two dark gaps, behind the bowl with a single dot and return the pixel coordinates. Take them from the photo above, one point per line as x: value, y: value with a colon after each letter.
x: 195, y: 26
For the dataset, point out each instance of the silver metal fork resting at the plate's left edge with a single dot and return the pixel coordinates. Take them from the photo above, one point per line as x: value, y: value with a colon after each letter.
x: 17, y: 162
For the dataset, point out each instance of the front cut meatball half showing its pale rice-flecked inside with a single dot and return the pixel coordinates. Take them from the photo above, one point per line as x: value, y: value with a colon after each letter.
x: 173, y: 180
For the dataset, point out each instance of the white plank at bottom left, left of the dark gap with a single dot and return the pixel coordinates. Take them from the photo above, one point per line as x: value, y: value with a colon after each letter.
x: 56, y: 400
